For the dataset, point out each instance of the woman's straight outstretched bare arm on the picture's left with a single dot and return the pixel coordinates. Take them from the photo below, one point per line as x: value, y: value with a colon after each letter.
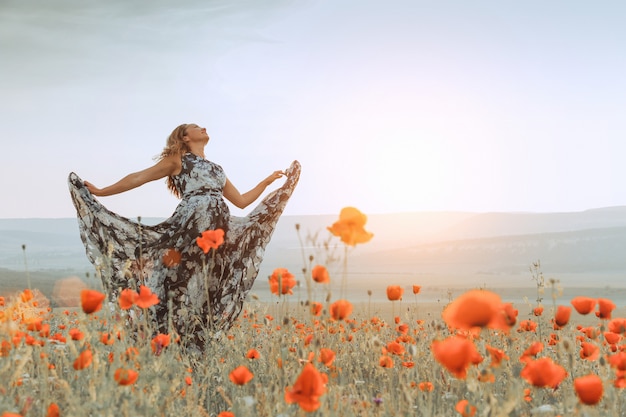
x: 167, y: 166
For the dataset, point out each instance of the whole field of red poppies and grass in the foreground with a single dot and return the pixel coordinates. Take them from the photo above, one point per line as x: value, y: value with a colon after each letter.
x: 323, y: 356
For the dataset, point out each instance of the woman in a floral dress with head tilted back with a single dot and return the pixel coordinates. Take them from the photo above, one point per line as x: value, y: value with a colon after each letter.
x: 165, y: 257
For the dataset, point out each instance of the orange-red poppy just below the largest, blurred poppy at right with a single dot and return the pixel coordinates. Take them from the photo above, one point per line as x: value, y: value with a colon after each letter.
x: 456, y: 354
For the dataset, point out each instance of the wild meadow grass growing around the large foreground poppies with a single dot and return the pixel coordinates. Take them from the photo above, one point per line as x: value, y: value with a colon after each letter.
x: 383, y: 366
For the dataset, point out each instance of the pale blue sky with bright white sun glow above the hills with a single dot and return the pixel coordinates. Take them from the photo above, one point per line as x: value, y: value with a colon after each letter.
x: 390, y: 106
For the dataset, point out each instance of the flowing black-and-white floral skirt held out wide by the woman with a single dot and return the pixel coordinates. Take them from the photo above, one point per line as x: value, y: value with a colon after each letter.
x: 197, y: 291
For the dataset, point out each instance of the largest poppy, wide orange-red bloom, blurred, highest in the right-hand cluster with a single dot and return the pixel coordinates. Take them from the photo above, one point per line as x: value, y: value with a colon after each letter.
x: 476, y: 308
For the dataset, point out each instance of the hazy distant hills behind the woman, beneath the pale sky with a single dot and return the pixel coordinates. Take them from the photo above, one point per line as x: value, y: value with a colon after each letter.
x: 436, y: 248
